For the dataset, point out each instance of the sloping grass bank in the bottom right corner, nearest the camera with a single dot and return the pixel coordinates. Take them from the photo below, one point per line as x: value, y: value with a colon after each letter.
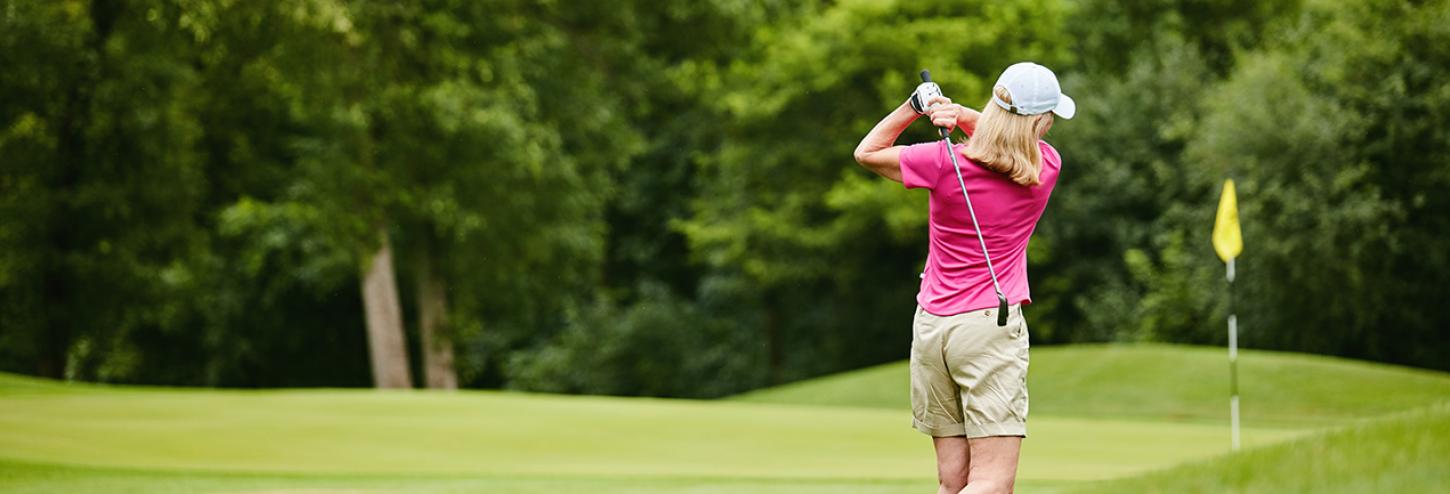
x: 1401, y: 454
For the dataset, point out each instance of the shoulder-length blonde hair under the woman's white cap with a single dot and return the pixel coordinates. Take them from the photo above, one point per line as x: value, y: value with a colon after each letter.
x: 1008, y: 143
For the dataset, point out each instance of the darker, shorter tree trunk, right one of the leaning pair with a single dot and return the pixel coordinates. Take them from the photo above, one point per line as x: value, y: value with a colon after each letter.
x: 433, y: 327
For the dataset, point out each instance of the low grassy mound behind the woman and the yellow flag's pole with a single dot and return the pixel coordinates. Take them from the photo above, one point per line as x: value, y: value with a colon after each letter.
x: 1165, y: 382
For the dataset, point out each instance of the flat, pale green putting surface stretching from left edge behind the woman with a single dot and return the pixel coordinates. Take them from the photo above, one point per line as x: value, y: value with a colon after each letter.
x: 511, y: 434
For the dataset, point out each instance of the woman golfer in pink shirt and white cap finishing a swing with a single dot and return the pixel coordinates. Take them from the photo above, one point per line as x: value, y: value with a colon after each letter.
x: 968, y: 373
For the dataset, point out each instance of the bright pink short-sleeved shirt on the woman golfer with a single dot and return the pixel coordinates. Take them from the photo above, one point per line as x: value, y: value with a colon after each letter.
x: 956, y: 279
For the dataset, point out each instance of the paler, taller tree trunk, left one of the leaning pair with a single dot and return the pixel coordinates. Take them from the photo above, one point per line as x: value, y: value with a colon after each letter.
x: 385, y: 321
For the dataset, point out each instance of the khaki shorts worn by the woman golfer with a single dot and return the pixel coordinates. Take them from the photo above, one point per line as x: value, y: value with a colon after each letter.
x: 969, y: 376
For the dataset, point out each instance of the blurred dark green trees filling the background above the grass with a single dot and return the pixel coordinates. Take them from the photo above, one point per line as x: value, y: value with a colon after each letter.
x: 658, y: 198
